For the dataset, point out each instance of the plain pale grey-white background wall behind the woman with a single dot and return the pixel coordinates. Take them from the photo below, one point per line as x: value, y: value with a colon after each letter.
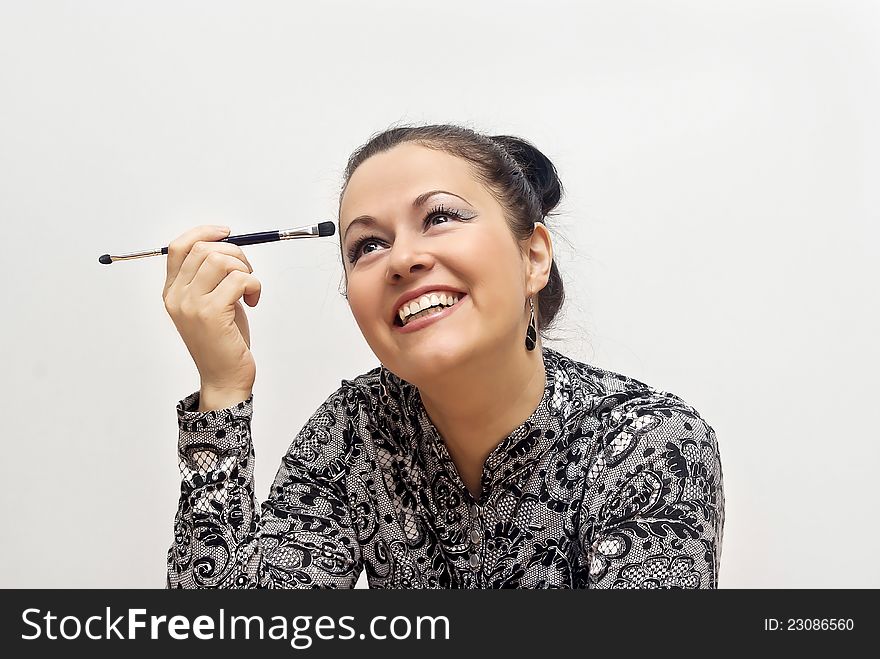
x: 718, y: 238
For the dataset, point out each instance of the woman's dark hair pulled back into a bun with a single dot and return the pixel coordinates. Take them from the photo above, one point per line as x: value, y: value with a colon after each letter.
x: 519, y: 176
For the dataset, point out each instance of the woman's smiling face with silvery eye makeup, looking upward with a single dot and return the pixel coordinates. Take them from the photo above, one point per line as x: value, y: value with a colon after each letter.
x: 397, y: 241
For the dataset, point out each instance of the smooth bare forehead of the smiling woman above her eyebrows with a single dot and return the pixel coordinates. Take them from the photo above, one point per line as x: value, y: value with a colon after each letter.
x: 382, y: 182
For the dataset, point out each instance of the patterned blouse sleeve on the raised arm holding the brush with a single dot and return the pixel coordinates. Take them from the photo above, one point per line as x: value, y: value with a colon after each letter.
x: 300, y: 537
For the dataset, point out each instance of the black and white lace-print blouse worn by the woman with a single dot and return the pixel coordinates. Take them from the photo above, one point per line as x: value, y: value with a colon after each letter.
x: 609, y: 483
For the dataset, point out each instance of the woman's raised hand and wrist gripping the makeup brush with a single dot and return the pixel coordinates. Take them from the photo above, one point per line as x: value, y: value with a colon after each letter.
x: 205, y: 280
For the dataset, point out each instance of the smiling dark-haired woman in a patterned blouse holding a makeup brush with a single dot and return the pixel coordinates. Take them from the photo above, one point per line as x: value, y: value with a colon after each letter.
x: 473, y: 457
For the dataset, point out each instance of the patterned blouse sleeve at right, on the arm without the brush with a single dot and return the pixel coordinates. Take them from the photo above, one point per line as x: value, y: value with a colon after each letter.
x: 652, y: 513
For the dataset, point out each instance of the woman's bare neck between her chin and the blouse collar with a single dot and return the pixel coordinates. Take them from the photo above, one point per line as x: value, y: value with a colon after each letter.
x: 475, y: 407
